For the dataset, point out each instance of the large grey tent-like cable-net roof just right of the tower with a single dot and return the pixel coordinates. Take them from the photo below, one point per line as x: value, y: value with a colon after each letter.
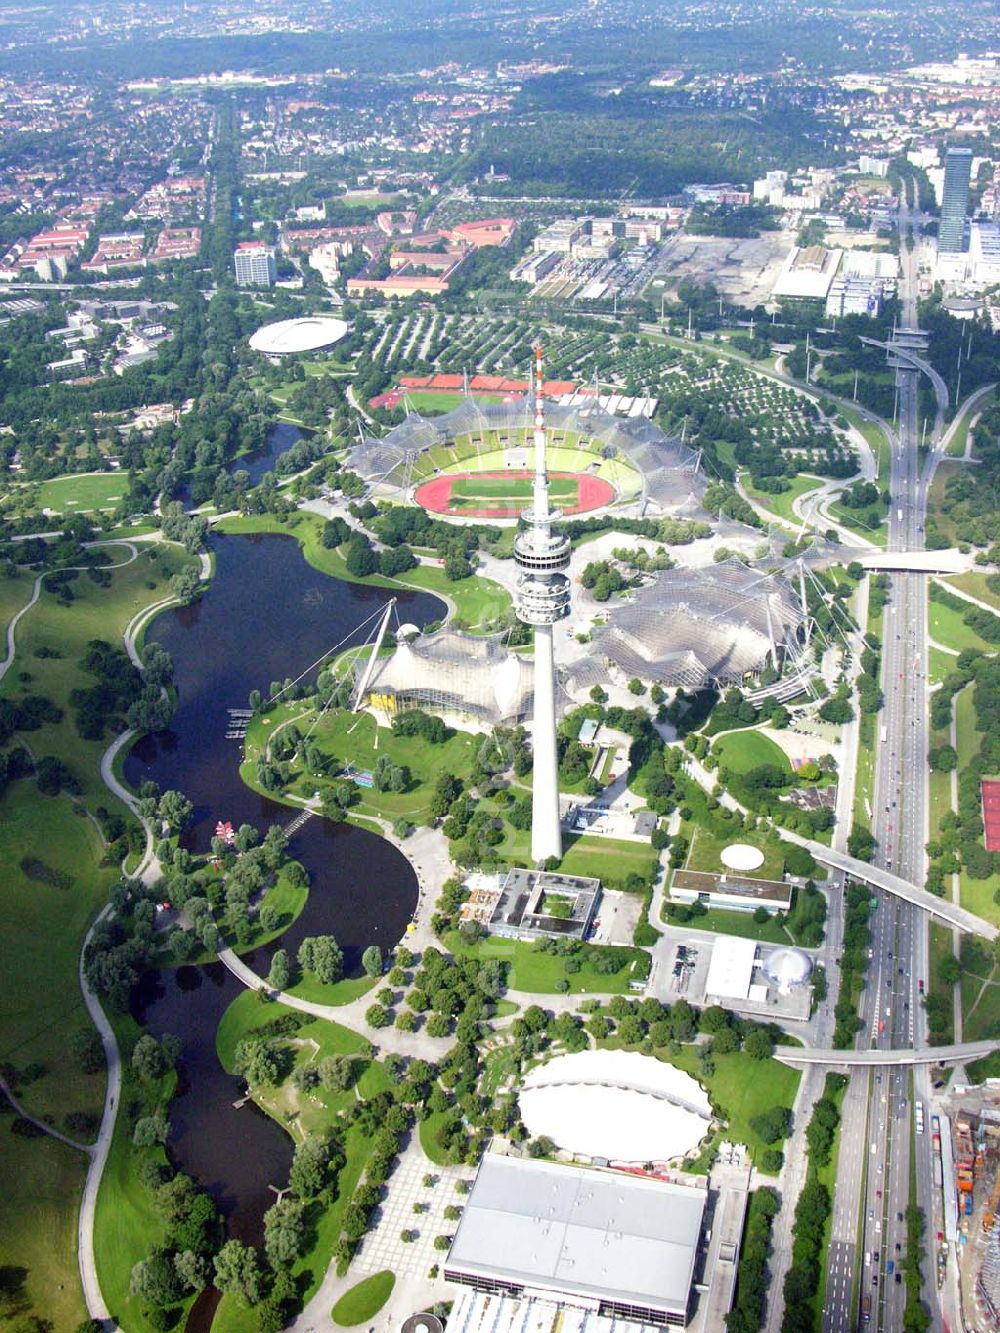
x: 703, y: 627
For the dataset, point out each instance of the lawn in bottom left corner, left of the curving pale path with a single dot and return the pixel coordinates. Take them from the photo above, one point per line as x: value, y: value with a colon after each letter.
x: 41, y: 1187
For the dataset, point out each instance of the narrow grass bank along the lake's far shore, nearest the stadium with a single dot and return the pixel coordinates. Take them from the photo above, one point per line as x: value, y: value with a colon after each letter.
x: 477, y: 599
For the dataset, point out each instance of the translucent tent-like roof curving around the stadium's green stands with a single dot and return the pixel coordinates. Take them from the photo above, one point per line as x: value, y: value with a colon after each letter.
x: 669, y: 470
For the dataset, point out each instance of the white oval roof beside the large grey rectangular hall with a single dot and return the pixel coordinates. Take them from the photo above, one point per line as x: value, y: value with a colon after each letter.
x: 617, y: 1104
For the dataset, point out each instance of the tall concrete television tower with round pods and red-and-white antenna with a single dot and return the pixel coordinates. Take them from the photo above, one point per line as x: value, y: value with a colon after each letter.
x: 543, y: 598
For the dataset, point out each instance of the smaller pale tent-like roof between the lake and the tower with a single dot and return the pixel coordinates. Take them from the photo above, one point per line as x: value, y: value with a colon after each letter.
x: 478, y: 676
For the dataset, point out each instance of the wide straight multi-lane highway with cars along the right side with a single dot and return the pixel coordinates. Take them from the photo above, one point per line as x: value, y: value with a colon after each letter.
x: 874, y: 1174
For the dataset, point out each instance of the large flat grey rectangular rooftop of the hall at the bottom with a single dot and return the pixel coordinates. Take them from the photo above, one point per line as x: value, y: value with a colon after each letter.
x: 590, y: 1232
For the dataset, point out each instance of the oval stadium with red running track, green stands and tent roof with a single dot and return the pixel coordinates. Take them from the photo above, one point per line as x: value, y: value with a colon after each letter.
x: 477, y: 461
